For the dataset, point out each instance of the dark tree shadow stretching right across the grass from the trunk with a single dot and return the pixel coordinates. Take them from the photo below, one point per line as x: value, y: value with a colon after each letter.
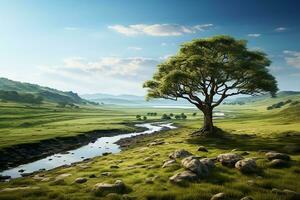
x: 287, y: 142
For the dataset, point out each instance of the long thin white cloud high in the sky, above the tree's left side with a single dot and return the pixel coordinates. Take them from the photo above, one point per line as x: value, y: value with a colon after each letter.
x: 158, y: 29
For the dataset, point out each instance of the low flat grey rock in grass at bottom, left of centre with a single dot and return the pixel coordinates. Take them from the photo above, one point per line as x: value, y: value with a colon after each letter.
x: 106, y: 188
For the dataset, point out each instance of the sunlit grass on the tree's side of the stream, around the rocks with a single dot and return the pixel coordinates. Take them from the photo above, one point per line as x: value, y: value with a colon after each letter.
x: 277, y: 130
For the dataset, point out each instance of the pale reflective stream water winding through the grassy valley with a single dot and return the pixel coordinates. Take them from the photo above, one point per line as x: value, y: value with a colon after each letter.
x: 99, y: 147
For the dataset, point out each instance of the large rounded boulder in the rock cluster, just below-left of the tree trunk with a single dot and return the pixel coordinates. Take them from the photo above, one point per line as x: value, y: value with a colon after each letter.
x: 194, y: 165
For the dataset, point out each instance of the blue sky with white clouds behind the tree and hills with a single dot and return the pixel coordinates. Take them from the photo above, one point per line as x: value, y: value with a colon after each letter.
x: 113, y: 46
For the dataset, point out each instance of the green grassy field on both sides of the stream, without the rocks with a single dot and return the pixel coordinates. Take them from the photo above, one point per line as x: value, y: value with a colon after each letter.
x: 277, y: 129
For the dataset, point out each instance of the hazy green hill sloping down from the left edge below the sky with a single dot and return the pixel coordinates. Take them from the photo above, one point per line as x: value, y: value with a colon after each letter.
x: 46, y: 93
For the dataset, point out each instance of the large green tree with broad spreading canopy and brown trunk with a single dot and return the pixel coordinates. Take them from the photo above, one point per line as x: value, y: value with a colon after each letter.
x: 206, y: 71
